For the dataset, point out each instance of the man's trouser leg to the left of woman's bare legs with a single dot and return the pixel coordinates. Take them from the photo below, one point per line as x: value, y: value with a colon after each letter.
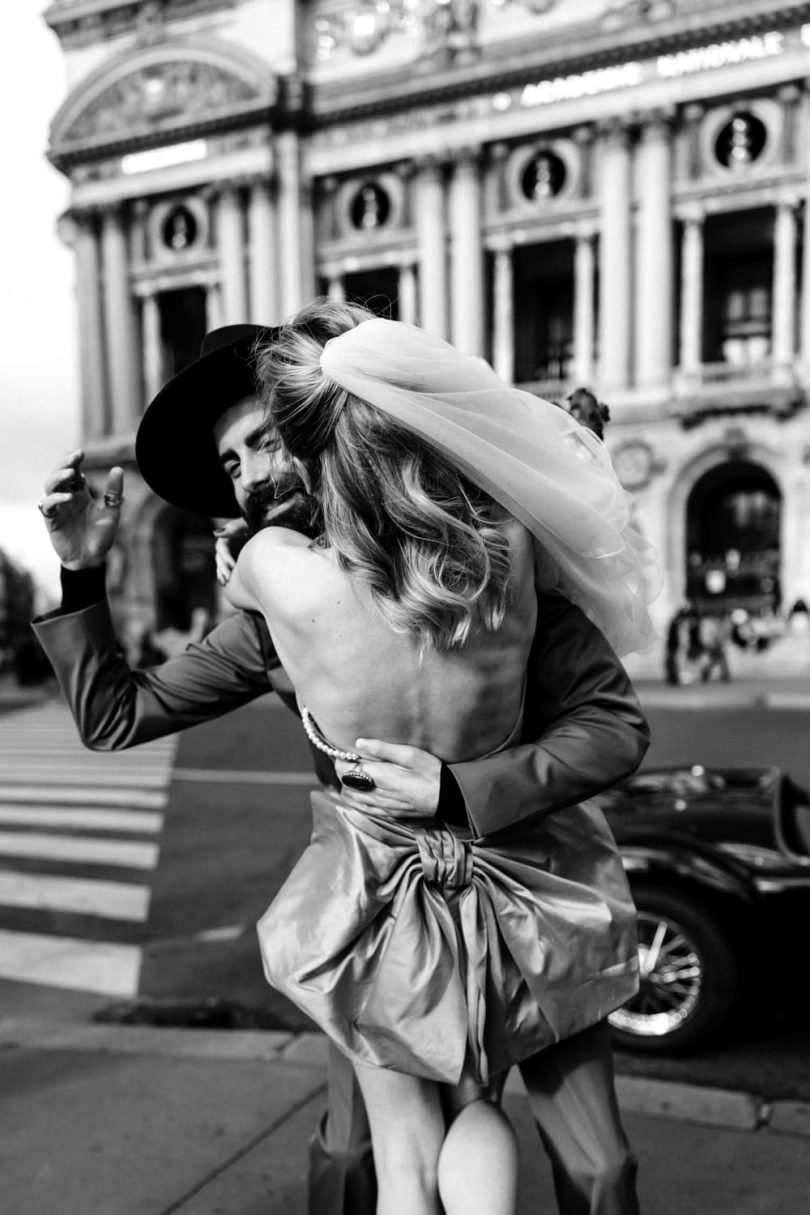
x: 342, y: 1167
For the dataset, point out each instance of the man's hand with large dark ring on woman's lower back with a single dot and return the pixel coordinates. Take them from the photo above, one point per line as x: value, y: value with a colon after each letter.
x: 407, y: 781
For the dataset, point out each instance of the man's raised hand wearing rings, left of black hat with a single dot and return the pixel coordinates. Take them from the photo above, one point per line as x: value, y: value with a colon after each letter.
x: 82, y: 529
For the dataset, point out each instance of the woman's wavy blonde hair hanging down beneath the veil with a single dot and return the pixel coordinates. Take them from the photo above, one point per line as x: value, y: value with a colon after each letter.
x: 424, y: 539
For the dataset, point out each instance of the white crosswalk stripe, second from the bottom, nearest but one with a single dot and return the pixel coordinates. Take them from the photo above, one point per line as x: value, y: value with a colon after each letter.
x: 114, y: 901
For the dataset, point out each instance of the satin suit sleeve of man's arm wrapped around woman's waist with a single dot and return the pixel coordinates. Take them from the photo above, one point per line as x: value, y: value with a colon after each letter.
x: 584, y: 730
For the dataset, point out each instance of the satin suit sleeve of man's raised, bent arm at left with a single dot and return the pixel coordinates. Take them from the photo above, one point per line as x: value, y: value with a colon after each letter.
x: 116, y: 707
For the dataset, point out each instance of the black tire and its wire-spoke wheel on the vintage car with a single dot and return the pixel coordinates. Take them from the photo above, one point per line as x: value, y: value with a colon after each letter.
x: 690, y: 977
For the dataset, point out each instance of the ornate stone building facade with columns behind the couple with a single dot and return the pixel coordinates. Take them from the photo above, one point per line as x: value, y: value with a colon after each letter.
x: 586, y: 193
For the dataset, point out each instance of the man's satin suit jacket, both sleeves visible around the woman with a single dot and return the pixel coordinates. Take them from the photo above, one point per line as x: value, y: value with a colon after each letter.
x: 584, y: 726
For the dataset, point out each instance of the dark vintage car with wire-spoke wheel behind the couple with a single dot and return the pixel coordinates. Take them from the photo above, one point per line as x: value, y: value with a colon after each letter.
x: 720, y: 866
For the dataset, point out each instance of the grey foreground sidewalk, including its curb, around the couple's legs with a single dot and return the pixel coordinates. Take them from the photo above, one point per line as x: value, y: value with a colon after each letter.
x: 100, y: 1121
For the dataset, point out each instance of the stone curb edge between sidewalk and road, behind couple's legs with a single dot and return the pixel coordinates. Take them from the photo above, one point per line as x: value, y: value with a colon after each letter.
x: 652, y: 1099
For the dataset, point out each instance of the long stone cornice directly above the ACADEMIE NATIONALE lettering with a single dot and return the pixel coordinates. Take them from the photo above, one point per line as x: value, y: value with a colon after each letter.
x: 512, y: 65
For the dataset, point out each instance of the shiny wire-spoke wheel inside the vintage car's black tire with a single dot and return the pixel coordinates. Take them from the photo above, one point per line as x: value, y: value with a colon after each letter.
x: 671, y: 976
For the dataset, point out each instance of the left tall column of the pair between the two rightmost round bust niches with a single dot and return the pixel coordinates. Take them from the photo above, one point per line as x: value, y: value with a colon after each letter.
x: 615, y: 312
